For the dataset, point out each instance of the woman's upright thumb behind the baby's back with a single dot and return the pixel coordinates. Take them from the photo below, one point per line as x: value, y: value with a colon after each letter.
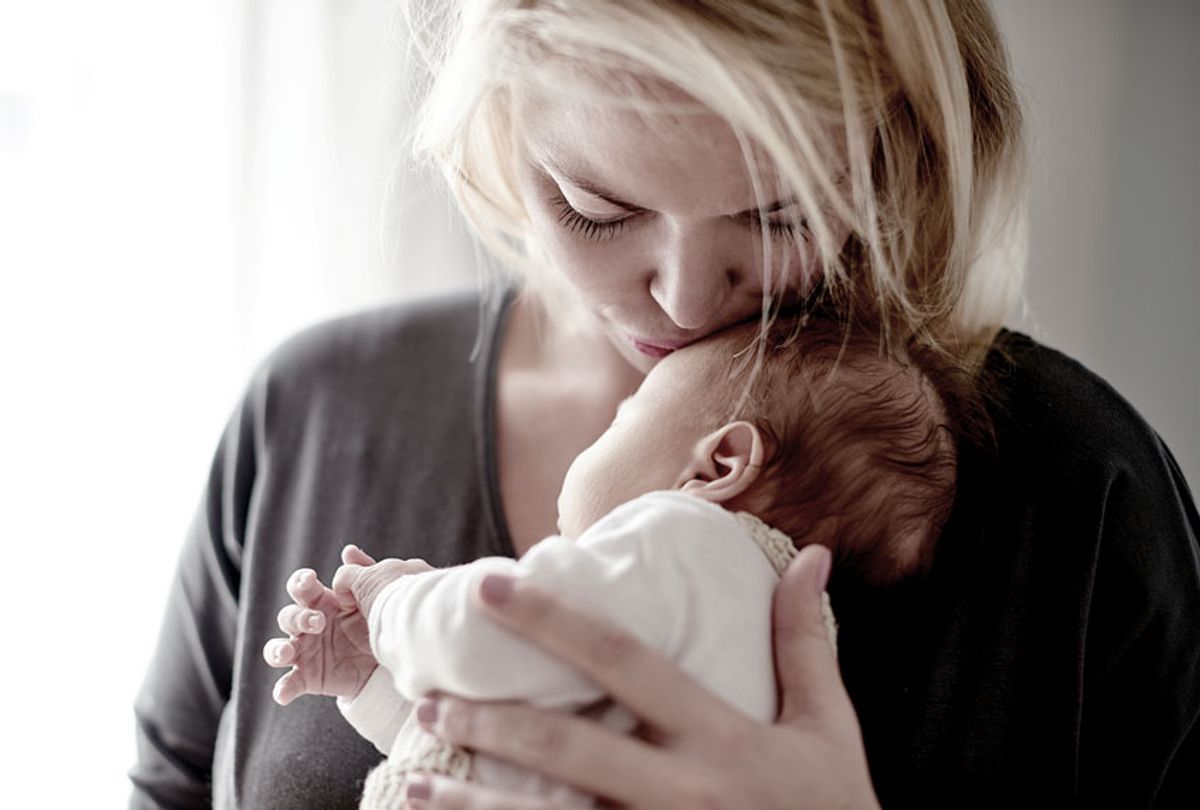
x: 806, y: 662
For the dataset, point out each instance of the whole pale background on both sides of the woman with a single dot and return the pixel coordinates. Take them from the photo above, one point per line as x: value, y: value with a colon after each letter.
x: 182, y: 185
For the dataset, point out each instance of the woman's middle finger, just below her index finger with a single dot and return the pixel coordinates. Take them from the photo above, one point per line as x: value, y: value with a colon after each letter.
x: 561, y: 746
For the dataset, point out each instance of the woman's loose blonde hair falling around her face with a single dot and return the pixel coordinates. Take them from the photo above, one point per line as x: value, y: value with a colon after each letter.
x: 896, y: 117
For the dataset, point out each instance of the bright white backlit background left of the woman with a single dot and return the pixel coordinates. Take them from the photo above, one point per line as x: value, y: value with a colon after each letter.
x: 182, y: 187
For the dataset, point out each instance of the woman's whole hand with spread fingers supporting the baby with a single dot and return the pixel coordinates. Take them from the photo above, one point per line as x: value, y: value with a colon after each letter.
x: 694, y: 751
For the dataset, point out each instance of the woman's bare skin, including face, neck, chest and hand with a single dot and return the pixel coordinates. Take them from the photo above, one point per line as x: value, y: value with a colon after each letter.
x: 682, y: 267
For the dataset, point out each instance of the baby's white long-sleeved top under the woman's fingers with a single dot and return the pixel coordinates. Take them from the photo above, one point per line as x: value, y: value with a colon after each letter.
x: 677, y: 573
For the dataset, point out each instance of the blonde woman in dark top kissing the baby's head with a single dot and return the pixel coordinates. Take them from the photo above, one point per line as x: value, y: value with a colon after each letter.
x: 656, y: 172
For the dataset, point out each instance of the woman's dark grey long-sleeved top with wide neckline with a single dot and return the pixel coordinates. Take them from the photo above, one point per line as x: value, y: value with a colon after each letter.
x: 1052, y: 658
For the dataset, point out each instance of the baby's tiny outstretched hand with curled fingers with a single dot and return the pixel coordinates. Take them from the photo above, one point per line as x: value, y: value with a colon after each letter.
x: 328, y: 646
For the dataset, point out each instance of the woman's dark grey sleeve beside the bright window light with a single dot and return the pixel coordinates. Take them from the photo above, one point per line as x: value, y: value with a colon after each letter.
x: 189, y: 681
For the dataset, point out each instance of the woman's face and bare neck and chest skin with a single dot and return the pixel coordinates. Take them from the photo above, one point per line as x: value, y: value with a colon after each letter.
x: 683, y: 265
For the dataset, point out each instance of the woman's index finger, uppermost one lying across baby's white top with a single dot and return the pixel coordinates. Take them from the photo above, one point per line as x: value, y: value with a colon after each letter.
x: 646, y: 682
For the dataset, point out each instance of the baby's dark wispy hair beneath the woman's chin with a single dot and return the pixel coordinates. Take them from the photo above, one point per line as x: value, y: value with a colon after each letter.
x: 861, y: 454
